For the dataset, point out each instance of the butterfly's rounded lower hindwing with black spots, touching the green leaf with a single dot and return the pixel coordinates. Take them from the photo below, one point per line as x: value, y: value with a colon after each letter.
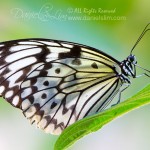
x: 57, y: 93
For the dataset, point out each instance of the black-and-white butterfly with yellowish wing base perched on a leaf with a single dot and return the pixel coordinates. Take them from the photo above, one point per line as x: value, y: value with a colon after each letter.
x: 56, y: 83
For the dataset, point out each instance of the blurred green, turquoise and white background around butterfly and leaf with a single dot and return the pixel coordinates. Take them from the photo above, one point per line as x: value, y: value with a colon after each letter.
x: 112, y: 26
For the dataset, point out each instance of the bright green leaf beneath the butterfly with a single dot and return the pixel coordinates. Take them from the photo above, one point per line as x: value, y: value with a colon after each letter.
x: 93, y: 123
